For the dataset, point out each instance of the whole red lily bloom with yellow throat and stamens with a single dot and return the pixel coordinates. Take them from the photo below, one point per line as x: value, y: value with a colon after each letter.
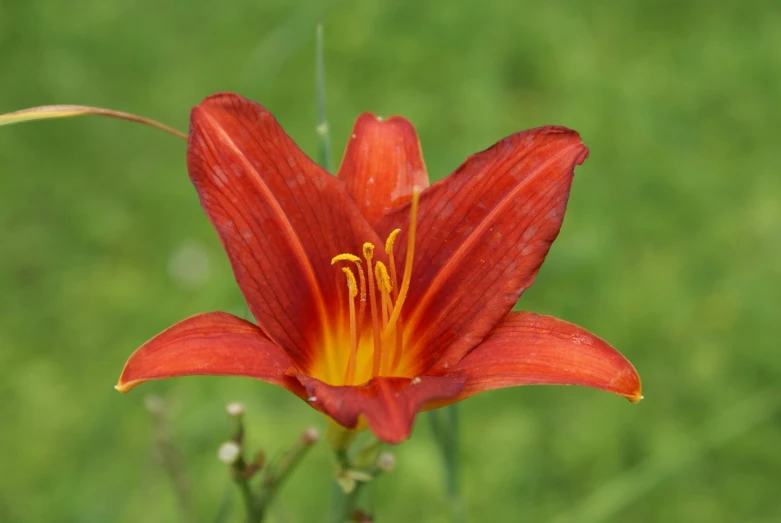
x: 427, y: 321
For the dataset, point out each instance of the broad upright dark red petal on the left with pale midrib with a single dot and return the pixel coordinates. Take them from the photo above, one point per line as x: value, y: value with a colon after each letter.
x: 280, y: 217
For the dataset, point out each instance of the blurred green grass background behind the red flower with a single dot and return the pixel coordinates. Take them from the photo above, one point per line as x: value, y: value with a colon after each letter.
x: 670, y: 249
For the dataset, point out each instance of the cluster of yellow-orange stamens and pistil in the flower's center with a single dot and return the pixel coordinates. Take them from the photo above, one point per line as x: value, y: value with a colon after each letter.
x: 386, y: 335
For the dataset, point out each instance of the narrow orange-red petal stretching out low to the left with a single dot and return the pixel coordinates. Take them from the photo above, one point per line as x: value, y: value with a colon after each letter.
x: 215, y: 343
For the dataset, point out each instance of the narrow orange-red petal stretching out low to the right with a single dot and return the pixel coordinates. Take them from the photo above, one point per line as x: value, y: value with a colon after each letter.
x: 530, y: 349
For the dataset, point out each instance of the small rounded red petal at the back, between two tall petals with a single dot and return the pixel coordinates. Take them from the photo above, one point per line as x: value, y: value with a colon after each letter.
x: 382, y: 164
